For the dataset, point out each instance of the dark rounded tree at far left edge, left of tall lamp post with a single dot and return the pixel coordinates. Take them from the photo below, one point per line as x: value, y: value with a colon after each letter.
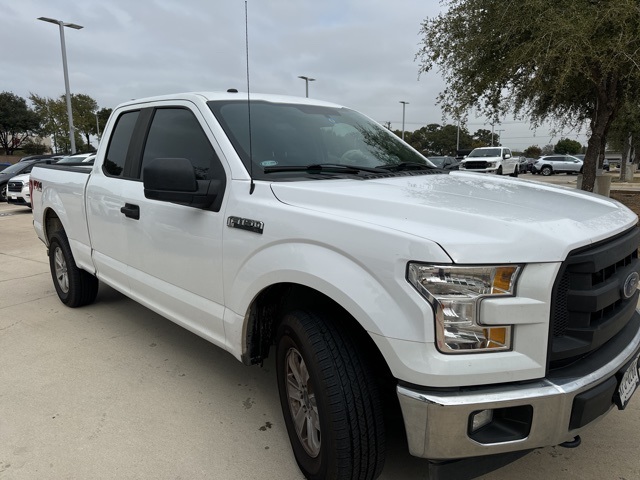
x: 17, y: 122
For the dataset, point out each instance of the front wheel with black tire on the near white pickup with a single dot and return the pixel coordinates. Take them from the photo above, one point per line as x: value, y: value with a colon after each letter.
x: 340, y: 433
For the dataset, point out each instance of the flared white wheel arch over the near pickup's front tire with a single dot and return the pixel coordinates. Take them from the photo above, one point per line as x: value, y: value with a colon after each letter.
x: 382, y: 302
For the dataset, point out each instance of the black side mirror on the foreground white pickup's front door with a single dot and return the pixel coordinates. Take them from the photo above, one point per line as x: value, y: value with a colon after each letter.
x: 174, y: 180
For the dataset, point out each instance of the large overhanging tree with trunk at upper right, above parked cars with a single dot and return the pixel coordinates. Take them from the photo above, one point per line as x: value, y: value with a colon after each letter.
x: 571, y: 61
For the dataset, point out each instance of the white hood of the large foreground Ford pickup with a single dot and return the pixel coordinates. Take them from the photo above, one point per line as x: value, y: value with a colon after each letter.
x: 475, y: 218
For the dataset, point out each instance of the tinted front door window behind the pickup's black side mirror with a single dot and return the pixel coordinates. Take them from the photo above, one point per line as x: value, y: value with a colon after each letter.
x: 176, y: 133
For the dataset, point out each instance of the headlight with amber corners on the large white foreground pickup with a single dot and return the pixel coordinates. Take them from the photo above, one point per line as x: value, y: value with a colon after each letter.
x: 455, y: 293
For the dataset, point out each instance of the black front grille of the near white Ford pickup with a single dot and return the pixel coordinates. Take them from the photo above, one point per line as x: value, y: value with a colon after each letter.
x: 589, y: 305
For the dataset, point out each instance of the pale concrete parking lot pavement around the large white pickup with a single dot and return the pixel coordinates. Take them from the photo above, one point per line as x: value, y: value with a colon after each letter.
x: 113, y: 390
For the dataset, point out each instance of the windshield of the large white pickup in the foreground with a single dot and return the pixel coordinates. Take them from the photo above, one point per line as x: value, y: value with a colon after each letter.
x: 286, y: 136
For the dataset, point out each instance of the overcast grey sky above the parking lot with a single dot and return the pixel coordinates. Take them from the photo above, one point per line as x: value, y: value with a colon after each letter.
x: 361, y: 54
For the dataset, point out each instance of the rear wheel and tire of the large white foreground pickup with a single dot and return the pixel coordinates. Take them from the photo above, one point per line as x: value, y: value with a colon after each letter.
x: 75, y: 287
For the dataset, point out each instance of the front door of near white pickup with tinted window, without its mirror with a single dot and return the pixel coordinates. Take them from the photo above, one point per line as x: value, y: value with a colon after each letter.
x: 175, y: 251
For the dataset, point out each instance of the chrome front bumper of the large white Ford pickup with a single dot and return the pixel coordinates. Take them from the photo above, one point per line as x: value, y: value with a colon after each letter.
x: 438, y: 421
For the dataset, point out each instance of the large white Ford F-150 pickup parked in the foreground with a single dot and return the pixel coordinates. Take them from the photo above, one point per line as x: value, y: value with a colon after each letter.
x: 497, y: 315
